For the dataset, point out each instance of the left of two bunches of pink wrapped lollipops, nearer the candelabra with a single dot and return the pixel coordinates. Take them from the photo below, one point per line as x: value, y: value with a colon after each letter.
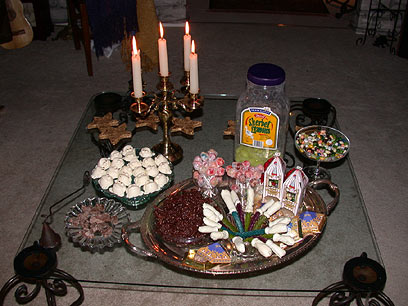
x: 208, y: 172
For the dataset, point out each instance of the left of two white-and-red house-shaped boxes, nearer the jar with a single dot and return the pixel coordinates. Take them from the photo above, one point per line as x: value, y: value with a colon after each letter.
x: 274, y: 176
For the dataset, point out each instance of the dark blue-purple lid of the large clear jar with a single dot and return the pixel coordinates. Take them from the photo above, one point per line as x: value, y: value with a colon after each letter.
x: 266, y: 74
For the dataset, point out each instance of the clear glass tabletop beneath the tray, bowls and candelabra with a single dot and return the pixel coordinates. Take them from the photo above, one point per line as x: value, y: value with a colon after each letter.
x: 347, y: 233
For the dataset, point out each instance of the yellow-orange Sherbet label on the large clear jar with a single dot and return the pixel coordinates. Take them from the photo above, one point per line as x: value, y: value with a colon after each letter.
x: 259, y: 128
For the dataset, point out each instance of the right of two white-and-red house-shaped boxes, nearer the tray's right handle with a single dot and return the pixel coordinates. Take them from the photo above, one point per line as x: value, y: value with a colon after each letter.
x: 293, y: 190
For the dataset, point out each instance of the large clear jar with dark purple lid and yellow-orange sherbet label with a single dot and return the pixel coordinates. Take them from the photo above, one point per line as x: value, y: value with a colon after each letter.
x: 262, y: 115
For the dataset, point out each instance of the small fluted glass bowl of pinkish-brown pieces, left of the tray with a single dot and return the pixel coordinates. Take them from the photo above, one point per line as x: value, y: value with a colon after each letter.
x: 96, y: 223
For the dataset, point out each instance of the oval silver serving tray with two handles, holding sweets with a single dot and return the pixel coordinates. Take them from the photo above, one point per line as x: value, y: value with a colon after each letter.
x: 175, y: 255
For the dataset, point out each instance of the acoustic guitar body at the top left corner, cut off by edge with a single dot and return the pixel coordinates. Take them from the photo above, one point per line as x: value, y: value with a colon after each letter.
x: 20, y: 27
